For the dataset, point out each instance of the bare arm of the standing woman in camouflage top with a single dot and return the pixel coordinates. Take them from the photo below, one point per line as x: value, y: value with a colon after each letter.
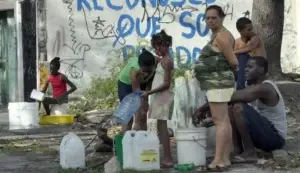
x: 226, y: 47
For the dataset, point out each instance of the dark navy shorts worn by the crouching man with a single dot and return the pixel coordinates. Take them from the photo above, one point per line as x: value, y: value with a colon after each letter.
x: 263, y: 133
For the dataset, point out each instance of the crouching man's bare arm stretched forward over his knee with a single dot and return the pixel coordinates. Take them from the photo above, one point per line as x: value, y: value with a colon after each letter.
x: 251, y: 93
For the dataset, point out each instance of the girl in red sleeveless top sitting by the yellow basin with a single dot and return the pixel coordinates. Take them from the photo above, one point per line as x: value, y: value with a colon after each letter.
x: 59, y: 84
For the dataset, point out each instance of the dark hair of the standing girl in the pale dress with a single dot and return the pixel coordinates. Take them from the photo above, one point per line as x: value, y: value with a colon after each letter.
x: 161, y: 39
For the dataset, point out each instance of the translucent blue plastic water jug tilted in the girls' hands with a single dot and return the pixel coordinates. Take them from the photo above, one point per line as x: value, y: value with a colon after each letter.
x: 128, y: 107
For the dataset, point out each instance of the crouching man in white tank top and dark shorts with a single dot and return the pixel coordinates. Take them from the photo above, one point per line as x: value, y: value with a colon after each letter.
x: 257, y: 114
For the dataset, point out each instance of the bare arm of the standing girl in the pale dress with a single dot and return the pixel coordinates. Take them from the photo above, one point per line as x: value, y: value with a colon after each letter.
x: 168, y: 67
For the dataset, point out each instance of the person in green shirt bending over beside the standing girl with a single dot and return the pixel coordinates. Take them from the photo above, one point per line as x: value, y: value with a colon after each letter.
x: 137, y: 75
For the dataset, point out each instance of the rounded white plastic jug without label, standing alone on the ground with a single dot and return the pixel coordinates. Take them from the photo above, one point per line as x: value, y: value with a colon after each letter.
x: 72, y: 152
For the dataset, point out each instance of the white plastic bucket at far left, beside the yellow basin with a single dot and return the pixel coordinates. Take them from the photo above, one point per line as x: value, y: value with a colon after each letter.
x: 23, y: 115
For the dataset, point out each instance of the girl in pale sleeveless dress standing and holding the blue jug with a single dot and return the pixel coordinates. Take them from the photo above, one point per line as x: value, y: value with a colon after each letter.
x: 162, y: 97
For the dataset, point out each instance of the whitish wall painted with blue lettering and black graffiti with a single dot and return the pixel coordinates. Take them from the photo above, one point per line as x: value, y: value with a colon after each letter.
x: 86, y: 34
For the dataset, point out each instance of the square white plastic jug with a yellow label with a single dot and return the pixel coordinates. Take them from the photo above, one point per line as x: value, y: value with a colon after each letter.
x: 141, y: 151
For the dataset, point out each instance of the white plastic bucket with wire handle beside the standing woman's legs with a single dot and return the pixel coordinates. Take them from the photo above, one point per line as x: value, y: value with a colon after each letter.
x: 191, y: 146
